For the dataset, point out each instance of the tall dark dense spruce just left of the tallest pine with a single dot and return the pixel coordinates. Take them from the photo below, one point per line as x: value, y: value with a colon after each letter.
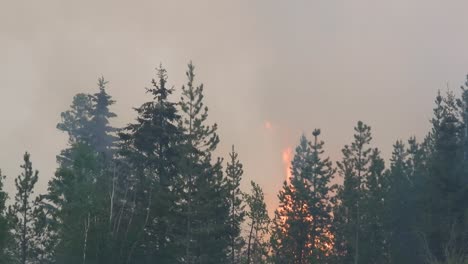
x: 151, y: 147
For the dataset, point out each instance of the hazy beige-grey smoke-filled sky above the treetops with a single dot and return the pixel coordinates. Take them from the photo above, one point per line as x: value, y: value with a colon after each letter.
x: 298, y: 65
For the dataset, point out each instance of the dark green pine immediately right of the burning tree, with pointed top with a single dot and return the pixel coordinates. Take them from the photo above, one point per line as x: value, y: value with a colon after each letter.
x: 359, y: 216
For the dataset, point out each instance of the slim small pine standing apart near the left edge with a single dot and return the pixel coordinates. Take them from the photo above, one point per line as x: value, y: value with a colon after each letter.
x: 22, y: 210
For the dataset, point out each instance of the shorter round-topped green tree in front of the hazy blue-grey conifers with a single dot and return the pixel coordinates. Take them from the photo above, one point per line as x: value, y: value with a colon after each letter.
x: 72, y: 204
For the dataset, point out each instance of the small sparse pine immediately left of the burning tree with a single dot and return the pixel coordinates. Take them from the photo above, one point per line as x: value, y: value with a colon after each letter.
x: 257, y: 246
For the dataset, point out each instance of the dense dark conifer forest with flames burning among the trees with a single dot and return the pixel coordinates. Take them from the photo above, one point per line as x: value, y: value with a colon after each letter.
x: 154, y: 192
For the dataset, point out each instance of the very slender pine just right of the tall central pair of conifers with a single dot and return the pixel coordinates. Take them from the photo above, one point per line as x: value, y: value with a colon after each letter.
x: 234, y: 173
